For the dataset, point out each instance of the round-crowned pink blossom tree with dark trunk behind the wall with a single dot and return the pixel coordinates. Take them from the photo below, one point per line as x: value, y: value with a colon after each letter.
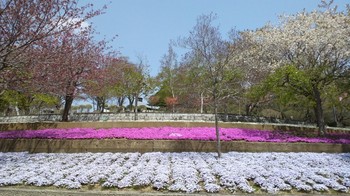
x: 66, y: 64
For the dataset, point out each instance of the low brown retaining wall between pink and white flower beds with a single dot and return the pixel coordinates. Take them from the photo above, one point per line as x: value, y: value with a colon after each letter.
x: 123, y: 145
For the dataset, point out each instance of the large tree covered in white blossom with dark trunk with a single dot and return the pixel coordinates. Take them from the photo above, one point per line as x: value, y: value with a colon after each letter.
x: 314, y: 46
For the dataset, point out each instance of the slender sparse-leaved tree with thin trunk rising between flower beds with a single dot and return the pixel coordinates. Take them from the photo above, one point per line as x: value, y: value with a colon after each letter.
x: 213, y: 54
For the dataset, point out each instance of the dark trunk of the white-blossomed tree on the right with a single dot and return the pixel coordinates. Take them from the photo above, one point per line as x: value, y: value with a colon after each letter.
x: 319, y: 112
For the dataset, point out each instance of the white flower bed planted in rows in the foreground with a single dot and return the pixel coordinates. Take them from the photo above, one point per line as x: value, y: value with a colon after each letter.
x: 184, y: 172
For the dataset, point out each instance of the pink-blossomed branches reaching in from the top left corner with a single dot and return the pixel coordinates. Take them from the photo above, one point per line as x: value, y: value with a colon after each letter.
x: 24, y: 23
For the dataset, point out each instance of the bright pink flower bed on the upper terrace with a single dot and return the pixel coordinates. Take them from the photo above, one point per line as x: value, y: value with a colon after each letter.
x: 172, y: 133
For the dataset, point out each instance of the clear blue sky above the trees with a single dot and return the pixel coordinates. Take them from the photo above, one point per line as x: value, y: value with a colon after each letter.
x: 144, y: 28
